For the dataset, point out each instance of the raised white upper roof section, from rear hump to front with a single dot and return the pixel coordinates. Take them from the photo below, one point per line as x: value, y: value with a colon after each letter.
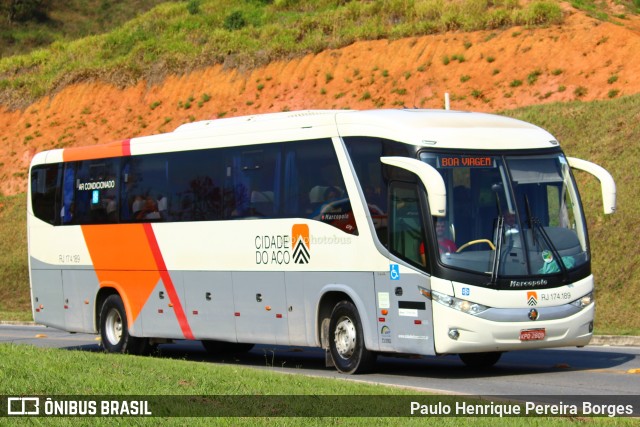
x: 438, y: 128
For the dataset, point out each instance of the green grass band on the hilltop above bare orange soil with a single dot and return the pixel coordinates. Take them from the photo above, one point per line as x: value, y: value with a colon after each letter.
x: 176, y: 37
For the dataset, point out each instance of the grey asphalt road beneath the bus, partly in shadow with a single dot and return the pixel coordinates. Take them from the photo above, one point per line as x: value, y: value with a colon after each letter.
x: 593, y: 370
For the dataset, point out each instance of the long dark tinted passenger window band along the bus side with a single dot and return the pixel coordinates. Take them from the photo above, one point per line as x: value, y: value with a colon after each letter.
x: 280, y: 180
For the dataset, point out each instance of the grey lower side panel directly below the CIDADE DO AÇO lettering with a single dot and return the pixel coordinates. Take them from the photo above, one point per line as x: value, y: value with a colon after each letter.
x: 260, y: 307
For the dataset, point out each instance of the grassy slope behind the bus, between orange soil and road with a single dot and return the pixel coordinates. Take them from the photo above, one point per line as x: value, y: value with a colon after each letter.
x: 605, y: 132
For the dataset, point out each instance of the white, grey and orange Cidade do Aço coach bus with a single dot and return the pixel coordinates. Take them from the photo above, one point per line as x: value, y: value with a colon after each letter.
x: 361, y: 232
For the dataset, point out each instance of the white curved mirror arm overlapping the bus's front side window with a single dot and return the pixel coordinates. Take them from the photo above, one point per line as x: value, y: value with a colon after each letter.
x: 430, y: 177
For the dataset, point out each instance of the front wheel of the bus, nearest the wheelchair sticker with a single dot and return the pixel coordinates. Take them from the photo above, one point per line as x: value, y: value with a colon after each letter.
x: 346, y: 340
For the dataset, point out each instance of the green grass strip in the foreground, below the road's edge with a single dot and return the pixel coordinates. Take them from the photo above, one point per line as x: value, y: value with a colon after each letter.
x: 31, y: 371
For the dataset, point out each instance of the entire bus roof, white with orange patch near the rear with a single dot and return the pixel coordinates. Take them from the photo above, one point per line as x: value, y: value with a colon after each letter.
x: 430, y: 128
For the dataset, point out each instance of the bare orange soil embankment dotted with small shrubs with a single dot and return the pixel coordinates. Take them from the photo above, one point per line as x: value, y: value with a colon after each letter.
x: 583, y: 59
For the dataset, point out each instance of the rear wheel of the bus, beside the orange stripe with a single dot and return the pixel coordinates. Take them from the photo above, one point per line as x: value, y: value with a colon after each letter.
x: 114, y: 330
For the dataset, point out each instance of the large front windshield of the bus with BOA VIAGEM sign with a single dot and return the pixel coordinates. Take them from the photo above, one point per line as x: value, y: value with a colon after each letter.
x: 509, y: 216
